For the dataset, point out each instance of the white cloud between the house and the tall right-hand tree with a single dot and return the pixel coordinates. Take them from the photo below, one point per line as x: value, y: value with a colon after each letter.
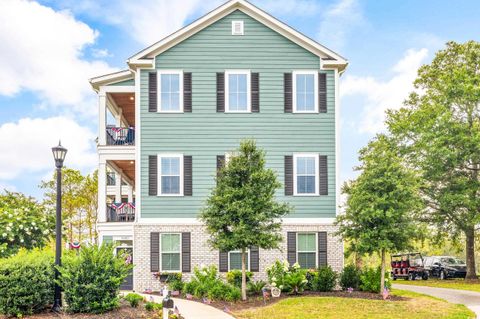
x: 382, y: 95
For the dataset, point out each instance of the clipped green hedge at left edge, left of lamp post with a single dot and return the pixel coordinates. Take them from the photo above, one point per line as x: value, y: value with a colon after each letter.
x: 26, y: 283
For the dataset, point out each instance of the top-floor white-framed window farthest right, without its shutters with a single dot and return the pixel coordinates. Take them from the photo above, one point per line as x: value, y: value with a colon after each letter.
x: 305, y: 91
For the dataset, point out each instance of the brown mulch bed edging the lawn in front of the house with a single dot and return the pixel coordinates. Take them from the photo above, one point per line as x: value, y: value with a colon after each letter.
x: 257, y: 301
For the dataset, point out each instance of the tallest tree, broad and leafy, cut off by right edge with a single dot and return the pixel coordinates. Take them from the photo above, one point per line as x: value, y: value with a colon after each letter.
x: 438, y: 131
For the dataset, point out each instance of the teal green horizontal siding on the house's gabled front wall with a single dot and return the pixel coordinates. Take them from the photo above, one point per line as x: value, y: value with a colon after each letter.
x: 204, y: 133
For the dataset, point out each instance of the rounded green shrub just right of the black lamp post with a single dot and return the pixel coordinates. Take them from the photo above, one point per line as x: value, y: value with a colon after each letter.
x: 91, y: 280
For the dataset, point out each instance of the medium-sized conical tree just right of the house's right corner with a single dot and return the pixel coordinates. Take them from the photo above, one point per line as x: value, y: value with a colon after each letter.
x: 380, y: 203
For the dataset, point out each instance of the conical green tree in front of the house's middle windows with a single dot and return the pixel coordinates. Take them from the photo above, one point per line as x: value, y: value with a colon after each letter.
x: 242, y: 211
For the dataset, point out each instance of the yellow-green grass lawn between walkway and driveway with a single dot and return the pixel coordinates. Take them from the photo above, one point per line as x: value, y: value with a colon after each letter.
x: 415, y: 306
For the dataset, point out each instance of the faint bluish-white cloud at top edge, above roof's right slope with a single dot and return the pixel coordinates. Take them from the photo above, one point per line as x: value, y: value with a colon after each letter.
x: 338, y: 21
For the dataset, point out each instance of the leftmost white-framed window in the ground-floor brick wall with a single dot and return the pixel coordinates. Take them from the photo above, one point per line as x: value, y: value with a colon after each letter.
x: 170, y: 252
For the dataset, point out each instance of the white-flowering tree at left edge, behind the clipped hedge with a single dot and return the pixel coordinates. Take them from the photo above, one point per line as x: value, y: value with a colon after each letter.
x: 24, y: 223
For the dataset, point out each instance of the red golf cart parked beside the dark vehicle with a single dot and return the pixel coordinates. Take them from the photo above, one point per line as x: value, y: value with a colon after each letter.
x: 408, y: 266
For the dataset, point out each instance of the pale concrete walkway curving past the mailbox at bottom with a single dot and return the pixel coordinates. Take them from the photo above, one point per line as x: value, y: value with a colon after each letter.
x: 194, y: 310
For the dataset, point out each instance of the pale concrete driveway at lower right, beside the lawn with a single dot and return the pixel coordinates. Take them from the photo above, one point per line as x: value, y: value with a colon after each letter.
x: 471, y: 299
